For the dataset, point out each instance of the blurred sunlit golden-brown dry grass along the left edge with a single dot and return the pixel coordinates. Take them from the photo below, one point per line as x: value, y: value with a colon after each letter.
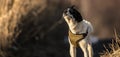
x: 12, y: 12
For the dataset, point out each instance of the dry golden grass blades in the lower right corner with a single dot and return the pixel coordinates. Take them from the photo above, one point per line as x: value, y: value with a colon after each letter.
x: 114, y: 46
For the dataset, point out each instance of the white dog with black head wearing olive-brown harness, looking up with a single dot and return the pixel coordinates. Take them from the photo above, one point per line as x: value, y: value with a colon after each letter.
x: 80, y: 31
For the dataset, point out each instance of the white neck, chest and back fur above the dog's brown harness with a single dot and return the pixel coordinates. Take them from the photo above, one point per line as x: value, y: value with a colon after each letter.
x: 81, y: 27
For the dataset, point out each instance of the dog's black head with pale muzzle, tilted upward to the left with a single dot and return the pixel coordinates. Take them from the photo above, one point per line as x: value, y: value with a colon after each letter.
x: 72, y: 15
